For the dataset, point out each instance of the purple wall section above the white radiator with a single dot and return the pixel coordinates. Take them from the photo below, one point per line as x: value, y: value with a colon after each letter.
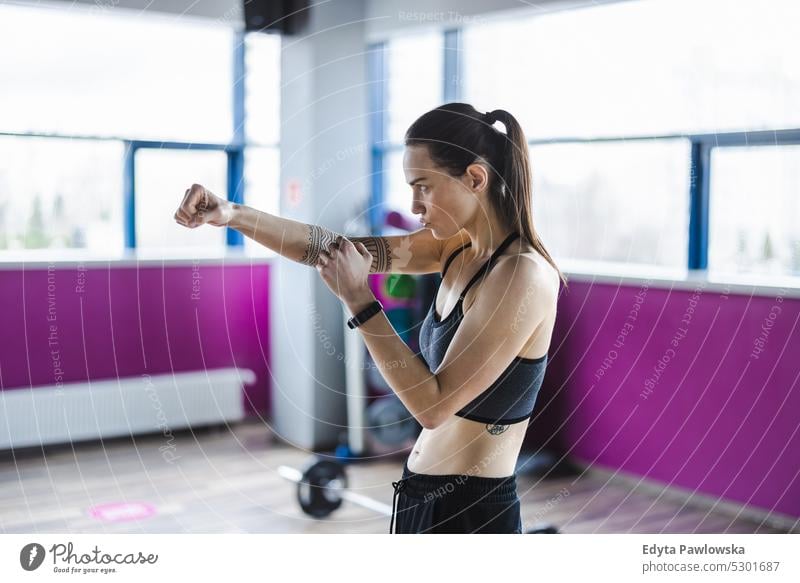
x: 126, y: 321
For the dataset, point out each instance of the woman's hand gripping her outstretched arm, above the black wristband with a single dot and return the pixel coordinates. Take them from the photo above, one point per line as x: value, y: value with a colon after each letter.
x: 344, y: 268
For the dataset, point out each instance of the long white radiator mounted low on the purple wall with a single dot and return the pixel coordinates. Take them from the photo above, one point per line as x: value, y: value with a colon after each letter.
x: 114, y: 407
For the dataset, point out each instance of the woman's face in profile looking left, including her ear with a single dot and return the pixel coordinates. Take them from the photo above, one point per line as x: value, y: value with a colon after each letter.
x: 444, y: 203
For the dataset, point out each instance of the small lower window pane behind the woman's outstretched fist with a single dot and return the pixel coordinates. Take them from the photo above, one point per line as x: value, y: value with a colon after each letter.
x: 162, y: 177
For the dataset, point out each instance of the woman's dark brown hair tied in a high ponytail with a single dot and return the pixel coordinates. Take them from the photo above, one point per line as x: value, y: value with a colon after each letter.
x: 456, y: 135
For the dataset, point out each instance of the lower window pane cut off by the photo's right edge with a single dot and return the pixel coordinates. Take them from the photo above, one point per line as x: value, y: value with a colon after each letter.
x: 755, y: 206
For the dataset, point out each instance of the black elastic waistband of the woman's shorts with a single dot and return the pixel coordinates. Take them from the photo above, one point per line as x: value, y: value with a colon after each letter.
x: 427, y: 486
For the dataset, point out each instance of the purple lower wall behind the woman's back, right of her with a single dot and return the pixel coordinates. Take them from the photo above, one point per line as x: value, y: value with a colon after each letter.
x: 696, y: 389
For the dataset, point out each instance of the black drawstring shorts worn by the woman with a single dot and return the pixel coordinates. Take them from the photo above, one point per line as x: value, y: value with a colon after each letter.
x: 455, y: 503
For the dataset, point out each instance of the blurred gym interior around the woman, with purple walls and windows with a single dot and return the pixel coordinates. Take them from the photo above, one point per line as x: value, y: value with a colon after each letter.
x: 157, y: 379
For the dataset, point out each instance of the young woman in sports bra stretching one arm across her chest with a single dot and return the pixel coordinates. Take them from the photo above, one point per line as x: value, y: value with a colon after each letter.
x: 485, y: 339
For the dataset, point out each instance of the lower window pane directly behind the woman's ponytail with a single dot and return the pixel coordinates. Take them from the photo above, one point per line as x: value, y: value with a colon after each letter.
x: 623, y: 202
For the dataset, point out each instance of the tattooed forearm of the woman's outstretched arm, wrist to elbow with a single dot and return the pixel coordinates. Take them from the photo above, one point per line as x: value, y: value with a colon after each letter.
x: 299, y: 241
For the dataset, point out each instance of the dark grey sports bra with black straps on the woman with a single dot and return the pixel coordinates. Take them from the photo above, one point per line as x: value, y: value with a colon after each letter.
x: 512, y: 396
